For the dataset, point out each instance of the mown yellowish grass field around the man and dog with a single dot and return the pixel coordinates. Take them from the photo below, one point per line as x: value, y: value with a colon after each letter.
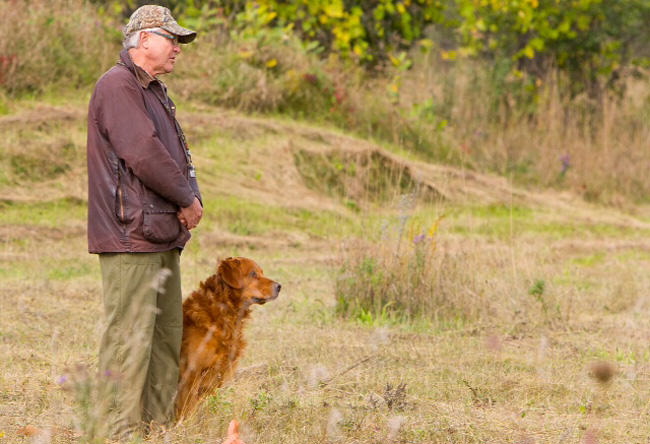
x: 553, y: 290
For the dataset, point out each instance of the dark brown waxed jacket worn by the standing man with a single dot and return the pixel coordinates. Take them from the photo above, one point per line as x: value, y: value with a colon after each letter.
x: 139, y: 170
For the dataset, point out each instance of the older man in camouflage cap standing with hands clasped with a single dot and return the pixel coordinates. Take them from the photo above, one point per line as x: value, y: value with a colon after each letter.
x: 143, y: 199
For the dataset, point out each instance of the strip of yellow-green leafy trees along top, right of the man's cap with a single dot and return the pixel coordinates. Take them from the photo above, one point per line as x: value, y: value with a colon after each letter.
x: 589, y: 39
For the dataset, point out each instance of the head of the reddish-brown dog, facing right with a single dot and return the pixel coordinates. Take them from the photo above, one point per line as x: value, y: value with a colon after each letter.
x: 245, y: 276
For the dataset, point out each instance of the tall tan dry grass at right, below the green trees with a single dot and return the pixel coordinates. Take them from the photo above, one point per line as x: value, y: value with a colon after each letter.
x: 595, y: 149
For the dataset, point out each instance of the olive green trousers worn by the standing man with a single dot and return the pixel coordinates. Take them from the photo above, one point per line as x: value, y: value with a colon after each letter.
x: 140, y: 347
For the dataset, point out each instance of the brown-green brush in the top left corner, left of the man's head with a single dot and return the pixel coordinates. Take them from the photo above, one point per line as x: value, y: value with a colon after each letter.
x: 48, y: 44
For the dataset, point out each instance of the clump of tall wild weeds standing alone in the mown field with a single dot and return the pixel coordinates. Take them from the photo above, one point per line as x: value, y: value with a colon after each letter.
x: 405, y: 276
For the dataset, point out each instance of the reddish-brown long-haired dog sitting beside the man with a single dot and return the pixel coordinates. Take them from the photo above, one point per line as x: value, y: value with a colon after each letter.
x: 213, y: 320
